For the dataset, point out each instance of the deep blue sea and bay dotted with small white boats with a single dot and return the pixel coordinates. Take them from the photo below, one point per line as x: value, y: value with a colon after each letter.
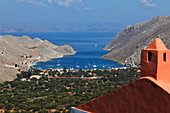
x: 89, y: 47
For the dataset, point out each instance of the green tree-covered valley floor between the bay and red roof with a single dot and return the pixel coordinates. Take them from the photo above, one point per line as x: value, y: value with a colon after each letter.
x: 59, y: 95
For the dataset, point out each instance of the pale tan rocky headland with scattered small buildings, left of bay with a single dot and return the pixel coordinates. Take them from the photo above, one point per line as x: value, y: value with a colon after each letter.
x: 19, y: 53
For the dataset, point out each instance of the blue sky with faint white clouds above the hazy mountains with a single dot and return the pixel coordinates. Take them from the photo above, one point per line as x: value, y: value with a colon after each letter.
x: 51, y: 12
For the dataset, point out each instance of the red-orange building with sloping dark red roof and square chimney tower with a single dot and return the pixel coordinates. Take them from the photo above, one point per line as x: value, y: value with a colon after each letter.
x: 149, y: 94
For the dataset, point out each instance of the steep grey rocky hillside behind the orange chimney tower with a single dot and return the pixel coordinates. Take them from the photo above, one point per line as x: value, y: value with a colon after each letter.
x: 127, y: 44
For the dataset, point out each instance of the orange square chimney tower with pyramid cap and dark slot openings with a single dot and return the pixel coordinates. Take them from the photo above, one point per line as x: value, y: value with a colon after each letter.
x: 155, y: 61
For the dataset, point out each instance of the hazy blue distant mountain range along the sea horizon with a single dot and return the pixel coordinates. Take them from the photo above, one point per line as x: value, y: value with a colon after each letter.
x: 62, y: 27
